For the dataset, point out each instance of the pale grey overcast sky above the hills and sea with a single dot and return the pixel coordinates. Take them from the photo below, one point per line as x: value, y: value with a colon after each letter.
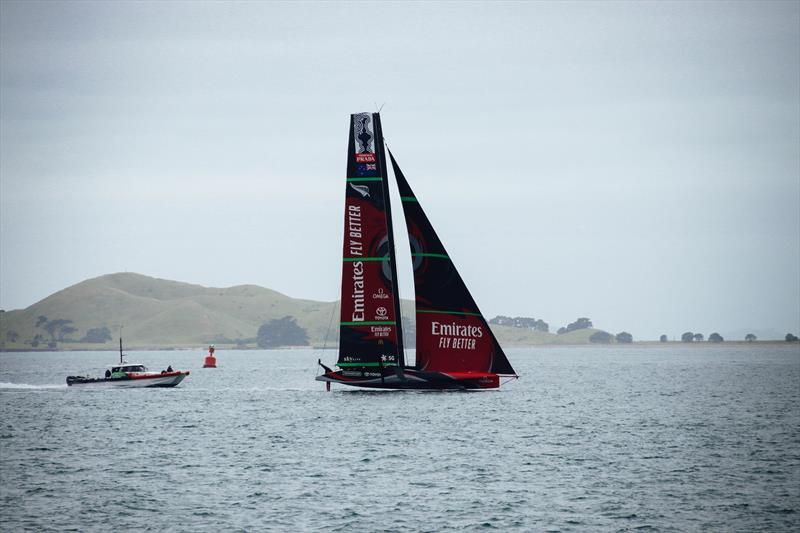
x: 637, y: 163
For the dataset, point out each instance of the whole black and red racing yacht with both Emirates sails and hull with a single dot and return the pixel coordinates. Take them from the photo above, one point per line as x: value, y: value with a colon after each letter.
x: 456, y: 349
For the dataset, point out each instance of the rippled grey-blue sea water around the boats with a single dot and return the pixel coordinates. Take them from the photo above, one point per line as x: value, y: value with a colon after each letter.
x: 599, y: 438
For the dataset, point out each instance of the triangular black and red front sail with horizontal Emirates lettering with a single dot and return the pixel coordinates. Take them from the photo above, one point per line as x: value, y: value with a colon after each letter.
x: 452, y: 335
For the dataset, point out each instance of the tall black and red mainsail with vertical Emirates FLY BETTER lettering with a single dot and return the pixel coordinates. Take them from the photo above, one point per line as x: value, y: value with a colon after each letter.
x: 370, y: 334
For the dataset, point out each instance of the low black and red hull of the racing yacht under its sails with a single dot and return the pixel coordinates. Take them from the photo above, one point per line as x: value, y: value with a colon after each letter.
x: 411, y: 379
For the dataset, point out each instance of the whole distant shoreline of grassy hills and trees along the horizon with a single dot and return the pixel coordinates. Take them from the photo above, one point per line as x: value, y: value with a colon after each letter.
x: 160, y: 314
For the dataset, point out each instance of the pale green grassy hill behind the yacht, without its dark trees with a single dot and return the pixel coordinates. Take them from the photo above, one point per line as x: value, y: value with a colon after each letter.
x: 158, y: 313
